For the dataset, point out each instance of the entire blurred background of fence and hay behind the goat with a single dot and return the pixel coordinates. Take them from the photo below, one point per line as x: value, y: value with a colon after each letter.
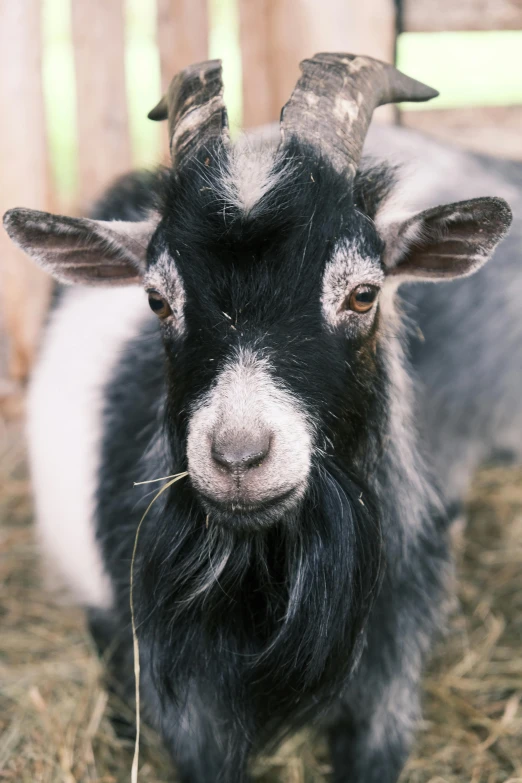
x: 77, y: 78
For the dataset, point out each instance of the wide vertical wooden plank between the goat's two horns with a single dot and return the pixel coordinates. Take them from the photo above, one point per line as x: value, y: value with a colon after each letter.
x: 291, y: 30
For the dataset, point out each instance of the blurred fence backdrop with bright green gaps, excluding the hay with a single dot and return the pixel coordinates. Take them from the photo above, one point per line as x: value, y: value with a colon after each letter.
x: 79, y: 76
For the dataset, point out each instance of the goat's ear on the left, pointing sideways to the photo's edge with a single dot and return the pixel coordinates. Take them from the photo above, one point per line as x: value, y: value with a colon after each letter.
x: 79, y: 250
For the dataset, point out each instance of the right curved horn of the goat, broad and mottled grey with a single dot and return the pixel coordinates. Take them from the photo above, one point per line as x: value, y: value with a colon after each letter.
x: 332, y: 104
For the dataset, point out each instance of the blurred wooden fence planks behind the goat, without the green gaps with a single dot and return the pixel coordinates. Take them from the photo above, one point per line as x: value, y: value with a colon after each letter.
x: 274, y: 36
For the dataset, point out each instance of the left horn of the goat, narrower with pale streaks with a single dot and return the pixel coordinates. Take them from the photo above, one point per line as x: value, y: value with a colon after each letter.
x: 195, y: 110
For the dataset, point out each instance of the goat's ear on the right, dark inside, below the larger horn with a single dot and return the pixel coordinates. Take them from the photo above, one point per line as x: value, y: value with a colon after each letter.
x: 445, y: 242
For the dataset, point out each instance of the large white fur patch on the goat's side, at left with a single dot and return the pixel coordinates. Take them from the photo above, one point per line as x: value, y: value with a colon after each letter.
x: 82, y: 345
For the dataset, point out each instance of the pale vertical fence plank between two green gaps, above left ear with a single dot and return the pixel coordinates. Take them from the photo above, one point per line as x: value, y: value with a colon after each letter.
x: 103, y: 133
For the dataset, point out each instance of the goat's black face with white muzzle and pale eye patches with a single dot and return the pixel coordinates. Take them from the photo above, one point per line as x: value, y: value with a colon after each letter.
x: 270, y: 320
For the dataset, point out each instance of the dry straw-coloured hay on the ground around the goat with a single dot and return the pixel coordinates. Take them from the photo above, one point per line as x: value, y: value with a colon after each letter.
x: 54, y: 713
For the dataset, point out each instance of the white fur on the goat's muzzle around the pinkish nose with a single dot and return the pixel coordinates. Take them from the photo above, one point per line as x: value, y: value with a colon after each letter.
x: 245, y: 396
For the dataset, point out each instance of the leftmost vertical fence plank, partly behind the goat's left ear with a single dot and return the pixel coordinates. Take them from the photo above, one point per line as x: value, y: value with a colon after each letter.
x: 24, y: 288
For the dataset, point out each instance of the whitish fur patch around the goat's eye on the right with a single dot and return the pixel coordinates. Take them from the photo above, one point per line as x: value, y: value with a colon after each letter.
x: 347, y: 269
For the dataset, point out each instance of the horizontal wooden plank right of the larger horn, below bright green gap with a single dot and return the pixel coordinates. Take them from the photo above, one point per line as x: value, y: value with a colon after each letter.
x: 494, y: 129
